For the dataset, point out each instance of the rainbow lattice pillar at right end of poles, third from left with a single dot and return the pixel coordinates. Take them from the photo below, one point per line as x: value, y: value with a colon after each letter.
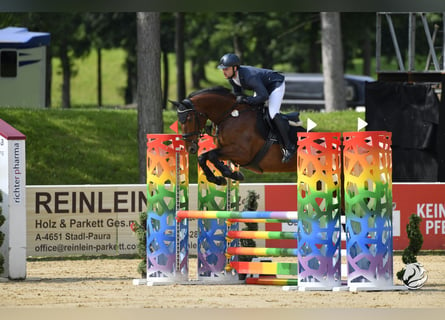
x: 319, y: 226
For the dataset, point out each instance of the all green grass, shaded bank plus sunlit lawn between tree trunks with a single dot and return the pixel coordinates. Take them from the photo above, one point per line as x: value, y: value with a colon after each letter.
x: 88, y: 144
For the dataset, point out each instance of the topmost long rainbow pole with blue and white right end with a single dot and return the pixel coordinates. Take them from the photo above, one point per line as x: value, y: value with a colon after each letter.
x: 290, y: 216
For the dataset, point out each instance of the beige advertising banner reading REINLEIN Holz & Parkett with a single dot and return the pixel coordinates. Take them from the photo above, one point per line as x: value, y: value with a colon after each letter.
x: 83, y: 219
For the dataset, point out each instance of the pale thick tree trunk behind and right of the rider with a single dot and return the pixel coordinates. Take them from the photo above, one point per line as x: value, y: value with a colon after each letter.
x: 332, y: 59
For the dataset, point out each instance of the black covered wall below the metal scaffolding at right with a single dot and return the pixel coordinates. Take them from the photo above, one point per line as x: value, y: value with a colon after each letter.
x: 411, y: 113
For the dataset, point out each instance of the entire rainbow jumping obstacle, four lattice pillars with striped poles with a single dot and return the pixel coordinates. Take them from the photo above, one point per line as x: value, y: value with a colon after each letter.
x: 359, y: 163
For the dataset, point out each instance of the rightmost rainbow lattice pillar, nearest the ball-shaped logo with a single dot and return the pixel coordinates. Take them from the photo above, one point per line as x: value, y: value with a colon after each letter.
x: 368, y: 208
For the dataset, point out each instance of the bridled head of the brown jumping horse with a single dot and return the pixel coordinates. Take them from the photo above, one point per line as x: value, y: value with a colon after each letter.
x: 192, y: 124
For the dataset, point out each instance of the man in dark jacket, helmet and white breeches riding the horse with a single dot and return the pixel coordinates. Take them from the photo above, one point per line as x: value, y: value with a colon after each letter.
x: 267, y: 85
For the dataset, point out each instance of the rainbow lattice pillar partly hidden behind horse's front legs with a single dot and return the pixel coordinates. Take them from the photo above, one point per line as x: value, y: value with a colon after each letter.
x: 212, y: 233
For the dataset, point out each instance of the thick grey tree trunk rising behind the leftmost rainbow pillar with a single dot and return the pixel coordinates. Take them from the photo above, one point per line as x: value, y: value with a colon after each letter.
x: 149, y: 96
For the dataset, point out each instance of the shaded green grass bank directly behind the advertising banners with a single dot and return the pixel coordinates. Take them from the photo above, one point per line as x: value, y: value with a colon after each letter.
x: 99, y: 146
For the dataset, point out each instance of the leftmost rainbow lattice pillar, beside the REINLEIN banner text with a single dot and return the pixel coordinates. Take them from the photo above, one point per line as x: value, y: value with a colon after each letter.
x: 167, y: 192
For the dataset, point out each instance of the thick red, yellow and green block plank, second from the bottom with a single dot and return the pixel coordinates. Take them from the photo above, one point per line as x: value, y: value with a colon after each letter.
x: 275, y: 268
